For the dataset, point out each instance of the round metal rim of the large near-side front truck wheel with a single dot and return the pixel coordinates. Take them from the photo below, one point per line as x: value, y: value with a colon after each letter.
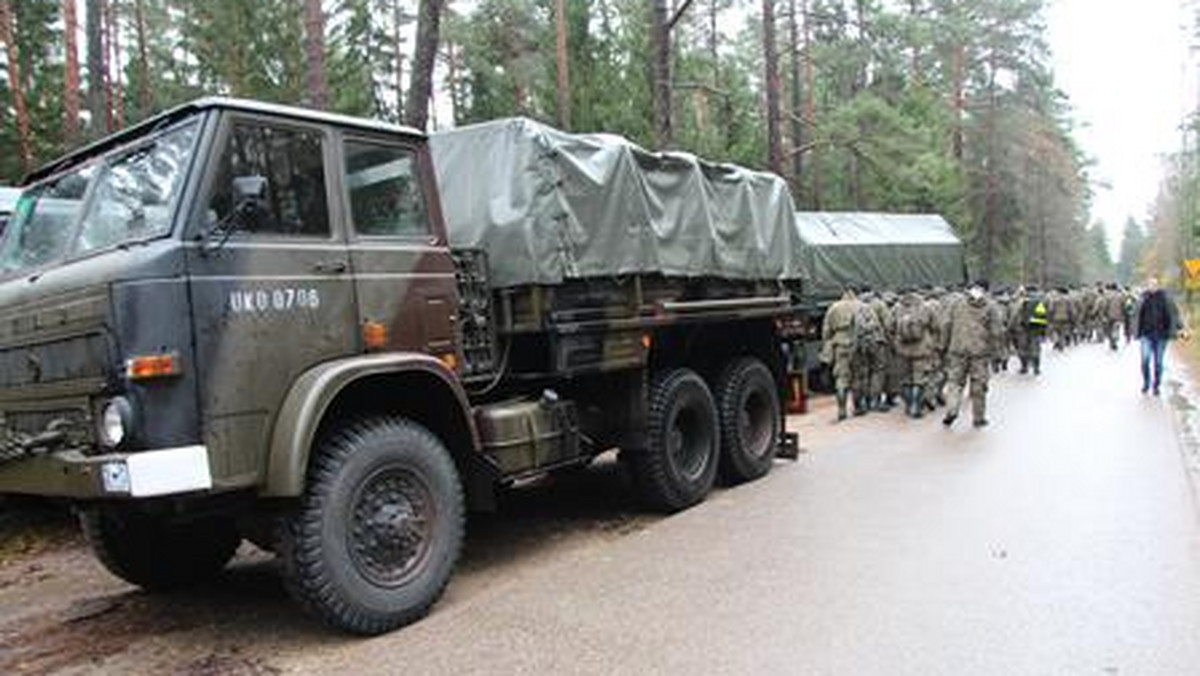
x: 393, y: 527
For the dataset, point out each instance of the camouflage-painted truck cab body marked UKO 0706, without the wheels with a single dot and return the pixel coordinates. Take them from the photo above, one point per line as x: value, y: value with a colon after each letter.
x: 151, y: 307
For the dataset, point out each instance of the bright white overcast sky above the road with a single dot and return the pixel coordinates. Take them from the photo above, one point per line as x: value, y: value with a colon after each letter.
x: 1124, y: 67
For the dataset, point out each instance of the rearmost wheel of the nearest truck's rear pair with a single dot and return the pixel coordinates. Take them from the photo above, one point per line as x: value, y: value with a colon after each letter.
x: 751, y: 420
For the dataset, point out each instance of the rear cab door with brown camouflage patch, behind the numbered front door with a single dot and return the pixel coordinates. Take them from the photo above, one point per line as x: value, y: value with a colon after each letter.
x: 405, y: 278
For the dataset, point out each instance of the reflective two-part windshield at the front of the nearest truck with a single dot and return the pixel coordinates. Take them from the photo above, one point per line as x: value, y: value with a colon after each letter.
x: 128, y: 198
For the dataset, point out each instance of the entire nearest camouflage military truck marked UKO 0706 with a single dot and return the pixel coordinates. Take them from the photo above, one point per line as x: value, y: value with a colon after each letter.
x: 242, y: 321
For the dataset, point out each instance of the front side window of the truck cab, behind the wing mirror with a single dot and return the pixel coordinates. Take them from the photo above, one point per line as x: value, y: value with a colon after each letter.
x: 293, y: 164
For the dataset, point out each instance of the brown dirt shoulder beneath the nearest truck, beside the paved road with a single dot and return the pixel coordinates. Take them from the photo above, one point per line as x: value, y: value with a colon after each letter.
x: 62, y: 613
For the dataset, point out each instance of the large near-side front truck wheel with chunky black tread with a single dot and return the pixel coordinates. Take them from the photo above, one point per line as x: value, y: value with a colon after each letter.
x: 379, y: 530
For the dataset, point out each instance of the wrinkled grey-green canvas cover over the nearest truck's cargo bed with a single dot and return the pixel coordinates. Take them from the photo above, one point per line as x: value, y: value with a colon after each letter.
x: 549, y: 206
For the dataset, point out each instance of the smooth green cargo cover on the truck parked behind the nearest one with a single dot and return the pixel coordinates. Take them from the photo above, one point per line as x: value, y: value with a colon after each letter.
x: 883, y: 252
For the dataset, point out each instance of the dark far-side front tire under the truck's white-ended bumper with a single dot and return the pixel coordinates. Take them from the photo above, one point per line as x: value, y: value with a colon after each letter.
x: 157, y: 554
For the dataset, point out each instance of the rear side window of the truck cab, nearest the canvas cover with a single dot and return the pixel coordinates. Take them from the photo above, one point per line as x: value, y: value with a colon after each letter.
x: 385, y: 189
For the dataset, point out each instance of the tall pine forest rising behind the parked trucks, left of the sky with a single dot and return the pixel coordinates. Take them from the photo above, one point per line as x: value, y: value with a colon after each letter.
x: 910, y: 106
